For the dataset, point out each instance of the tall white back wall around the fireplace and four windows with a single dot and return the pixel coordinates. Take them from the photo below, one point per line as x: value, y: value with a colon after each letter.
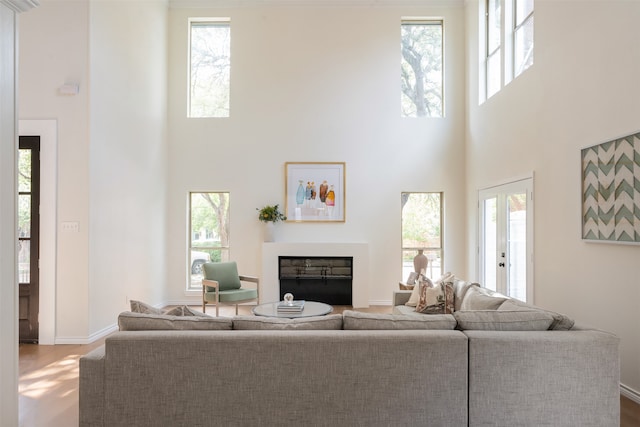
x: 317, y: 84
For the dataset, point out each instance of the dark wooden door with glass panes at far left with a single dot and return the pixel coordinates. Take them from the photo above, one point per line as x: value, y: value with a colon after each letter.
x: 28, y: 238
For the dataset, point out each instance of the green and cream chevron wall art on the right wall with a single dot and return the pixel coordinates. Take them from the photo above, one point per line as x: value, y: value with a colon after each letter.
x: 611, y: 191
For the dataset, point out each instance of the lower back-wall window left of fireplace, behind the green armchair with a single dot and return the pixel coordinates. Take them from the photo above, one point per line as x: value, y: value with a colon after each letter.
x: 208, y: 233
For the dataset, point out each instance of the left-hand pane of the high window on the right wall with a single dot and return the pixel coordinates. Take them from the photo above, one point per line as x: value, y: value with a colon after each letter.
x: 493, y: 47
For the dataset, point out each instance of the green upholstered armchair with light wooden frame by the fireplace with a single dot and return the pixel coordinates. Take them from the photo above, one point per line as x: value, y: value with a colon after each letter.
x: 222, y: 285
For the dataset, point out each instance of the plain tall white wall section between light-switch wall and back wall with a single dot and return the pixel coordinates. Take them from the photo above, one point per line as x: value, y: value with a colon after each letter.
x: 128, y: 163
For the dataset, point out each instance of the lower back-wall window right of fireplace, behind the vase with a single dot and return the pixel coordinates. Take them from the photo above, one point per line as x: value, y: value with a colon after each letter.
x: 422, y: 231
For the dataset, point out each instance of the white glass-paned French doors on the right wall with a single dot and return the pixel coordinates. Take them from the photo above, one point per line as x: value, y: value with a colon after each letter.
x: 506, y: 239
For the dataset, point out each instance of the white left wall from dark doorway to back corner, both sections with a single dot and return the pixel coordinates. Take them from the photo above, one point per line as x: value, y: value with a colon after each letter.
x: 111, y: 151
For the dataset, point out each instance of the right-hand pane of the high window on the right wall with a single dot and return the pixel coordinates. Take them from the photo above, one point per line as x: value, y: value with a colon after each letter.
x: 522, y: 36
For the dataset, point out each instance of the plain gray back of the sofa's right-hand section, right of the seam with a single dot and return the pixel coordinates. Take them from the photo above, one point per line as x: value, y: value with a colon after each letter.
x: 573, y: 375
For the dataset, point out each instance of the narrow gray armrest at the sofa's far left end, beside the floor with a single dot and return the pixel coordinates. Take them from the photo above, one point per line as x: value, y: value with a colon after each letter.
x: 91, y: 389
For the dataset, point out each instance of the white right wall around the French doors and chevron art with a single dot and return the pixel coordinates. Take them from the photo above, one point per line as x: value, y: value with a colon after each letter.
x: 582, y: 90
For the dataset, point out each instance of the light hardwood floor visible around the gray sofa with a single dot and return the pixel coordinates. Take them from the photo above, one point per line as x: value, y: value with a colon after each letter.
x: 48, y: 384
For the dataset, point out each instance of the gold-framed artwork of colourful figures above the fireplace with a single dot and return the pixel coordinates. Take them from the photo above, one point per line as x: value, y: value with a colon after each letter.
x: 315, y: 191
